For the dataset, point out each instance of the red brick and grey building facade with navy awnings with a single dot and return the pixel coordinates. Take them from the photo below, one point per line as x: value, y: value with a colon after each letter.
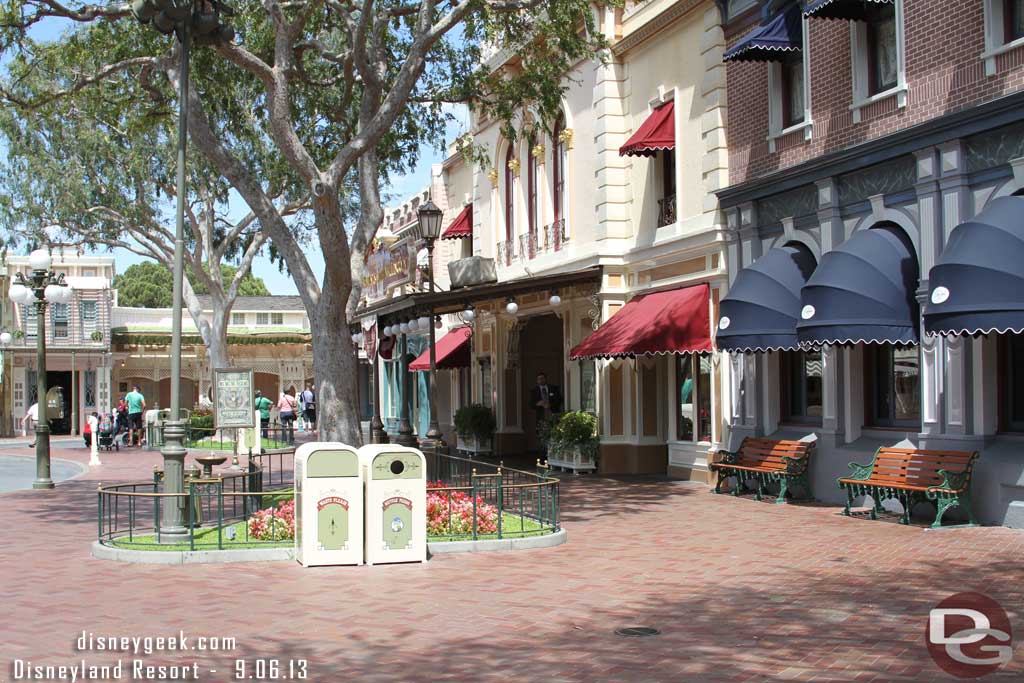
x: 863, y: 136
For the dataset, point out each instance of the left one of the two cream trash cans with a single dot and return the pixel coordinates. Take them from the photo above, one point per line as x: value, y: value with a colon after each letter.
x: 329, y: 518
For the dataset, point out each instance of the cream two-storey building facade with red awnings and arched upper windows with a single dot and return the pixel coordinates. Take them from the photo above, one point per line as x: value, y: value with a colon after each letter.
x: 580, y: 217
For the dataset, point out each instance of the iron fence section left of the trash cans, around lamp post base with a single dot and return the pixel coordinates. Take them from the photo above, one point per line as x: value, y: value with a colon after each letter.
x: 219, y: 511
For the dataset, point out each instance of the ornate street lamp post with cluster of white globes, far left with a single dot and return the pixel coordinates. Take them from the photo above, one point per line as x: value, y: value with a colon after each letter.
x: 41, y: 287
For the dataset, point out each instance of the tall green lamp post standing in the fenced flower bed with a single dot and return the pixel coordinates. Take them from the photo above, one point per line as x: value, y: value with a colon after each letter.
x: 185, y: 19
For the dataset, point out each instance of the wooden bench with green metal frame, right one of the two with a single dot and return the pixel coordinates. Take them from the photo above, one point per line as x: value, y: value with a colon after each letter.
x: 912, y: 477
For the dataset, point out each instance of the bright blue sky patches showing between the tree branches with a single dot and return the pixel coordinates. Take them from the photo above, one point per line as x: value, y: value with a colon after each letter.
x: 277, y: 282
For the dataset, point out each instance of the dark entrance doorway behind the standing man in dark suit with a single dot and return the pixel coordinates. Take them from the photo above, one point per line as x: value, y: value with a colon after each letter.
x: 541, y: 351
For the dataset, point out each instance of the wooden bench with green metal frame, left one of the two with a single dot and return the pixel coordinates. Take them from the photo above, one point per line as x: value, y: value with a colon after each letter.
x: 766, y: 461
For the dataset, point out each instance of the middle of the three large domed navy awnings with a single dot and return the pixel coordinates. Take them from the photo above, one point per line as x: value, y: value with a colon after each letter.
x: 863, y: 292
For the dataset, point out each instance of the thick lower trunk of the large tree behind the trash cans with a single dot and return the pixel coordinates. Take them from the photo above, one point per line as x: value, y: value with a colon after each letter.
x: 335, y: 366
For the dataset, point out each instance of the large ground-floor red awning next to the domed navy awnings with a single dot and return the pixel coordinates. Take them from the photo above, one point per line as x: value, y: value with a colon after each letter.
x: 672, y: 322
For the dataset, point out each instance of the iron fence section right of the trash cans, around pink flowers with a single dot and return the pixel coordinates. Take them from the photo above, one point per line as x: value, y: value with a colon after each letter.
x: 471, y: 499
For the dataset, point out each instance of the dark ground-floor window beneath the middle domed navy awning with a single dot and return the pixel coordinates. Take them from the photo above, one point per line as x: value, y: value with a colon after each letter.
x: 892, y: 386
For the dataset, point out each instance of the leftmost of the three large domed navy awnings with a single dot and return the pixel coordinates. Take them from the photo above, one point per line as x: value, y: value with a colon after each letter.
x: 761, y: 311
